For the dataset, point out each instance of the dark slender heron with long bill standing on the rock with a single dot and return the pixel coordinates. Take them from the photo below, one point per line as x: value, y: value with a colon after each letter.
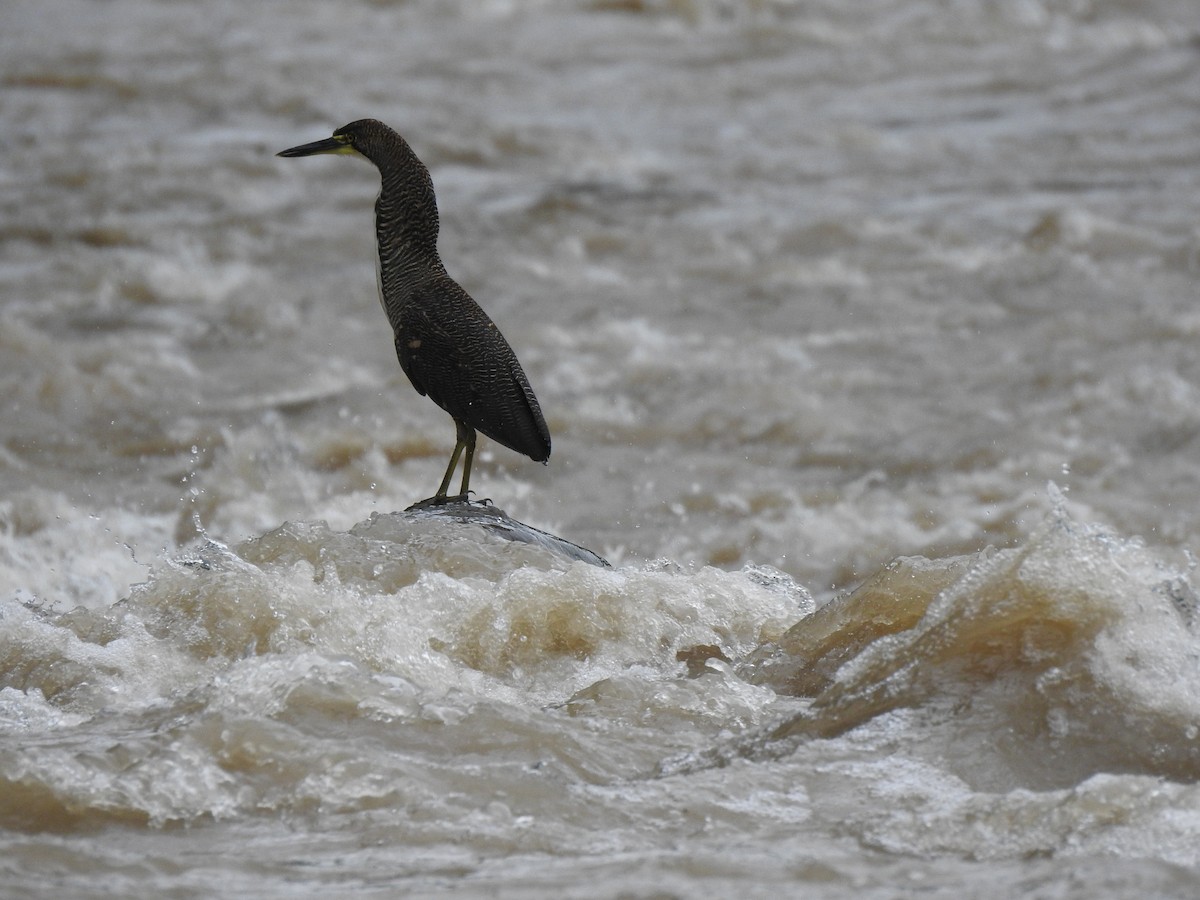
x: 447, y: 345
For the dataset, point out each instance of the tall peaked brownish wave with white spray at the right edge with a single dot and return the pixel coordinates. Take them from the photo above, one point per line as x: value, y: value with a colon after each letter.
x: 1031, y: 668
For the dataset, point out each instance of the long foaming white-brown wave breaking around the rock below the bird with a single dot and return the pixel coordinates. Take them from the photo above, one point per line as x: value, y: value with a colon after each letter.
x: 233, y: 664
